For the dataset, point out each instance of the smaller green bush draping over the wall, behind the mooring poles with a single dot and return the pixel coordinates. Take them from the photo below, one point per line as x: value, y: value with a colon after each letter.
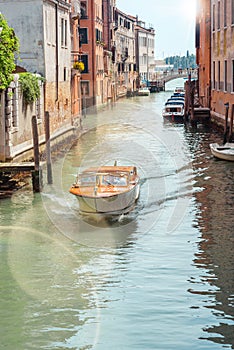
x: 30, y: 87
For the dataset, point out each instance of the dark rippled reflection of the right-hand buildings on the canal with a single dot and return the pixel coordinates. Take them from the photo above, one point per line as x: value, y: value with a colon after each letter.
x: 215, y: 253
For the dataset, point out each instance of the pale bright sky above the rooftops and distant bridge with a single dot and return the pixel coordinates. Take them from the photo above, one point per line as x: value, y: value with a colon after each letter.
x: 173, y: 21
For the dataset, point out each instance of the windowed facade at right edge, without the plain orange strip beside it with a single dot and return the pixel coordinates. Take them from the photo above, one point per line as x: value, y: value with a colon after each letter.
x: 222, y: 55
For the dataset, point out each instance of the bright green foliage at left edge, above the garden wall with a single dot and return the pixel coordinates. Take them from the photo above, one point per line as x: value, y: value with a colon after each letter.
x: 9, y: 46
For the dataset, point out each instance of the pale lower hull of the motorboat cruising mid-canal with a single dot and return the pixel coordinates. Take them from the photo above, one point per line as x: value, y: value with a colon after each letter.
x: 113, y: 204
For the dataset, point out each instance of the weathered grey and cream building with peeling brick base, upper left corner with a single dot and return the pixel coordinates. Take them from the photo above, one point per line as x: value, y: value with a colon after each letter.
x: 43, y: 28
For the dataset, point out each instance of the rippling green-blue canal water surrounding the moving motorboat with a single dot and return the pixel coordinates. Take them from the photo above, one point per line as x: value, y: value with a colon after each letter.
x: 159, y: 278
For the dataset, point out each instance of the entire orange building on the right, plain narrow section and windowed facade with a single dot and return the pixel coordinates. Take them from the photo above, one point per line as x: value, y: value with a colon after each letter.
x: 215, y: 55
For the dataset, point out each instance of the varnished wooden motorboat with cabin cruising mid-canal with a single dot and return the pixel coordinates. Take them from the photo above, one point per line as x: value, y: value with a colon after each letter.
x: 105, y: 190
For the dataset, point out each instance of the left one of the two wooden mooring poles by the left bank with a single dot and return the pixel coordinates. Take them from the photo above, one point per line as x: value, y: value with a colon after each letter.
x: 36, y: 173
